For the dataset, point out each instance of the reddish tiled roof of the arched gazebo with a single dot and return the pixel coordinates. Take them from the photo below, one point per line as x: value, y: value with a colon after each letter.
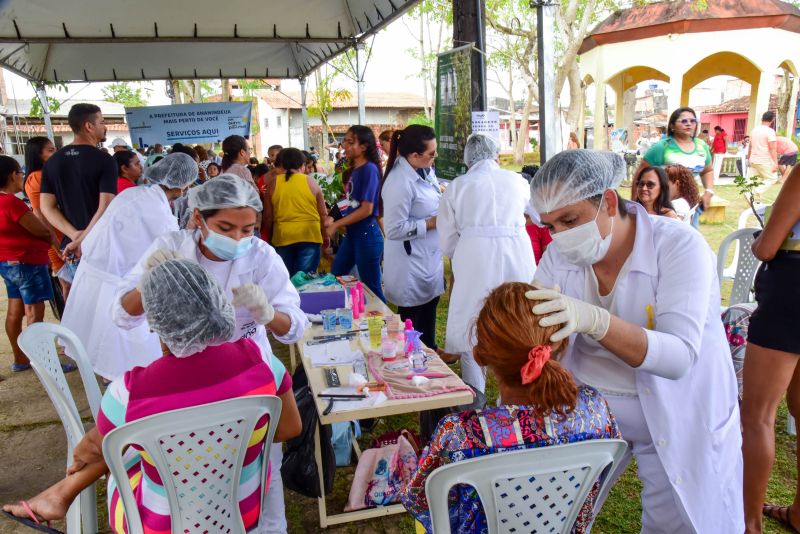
x: 666, y: 18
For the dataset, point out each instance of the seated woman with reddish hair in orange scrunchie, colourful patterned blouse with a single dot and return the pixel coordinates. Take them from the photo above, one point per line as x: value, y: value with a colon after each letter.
x: 540, y: 405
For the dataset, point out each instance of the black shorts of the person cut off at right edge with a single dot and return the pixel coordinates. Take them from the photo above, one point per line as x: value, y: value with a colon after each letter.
x: 774, y: 324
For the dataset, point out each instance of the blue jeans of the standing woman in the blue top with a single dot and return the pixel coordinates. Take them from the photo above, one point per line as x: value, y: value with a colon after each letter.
x: 362, y: 247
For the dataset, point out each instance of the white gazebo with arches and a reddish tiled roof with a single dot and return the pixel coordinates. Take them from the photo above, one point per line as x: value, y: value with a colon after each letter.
x: 683, y: 45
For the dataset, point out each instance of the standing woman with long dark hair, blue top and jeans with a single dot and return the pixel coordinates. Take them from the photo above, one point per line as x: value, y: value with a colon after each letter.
x: 362, y: 246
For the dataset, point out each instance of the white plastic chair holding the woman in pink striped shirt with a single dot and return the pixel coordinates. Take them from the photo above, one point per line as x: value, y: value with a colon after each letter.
x: 198, y: 453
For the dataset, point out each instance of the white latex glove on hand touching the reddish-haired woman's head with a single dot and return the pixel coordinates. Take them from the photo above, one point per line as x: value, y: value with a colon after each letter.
x: 574, y: 316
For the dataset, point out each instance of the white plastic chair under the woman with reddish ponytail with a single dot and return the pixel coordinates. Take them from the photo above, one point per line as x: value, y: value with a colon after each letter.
x: 532, y: 490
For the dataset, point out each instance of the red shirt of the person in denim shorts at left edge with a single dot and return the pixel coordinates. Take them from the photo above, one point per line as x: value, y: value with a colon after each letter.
x: 16, y: 243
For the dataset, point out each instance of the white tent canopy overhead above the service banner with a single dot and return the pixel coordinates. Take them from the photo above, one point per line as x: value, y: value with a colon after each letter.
x: 98, y: 40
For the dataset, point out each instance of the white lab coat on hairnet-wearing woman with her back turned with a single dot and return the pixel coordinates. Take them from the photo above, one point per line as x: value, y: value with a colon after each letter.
x: 481, y: 227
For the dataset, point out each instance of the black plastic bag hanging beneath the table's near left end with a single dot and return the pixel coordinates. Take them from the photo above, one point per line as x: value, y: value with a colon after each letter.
x: 299, y: 467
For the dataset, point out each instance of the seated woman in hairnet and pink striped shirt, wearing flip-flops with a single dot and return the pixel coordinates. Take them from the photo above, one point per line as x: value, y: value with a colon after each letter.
x: 190, y: 312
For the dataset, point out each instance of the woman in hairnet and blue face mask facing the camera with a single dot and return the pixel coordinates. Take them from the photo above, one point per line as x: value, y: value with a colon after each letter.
x: 224, y: 213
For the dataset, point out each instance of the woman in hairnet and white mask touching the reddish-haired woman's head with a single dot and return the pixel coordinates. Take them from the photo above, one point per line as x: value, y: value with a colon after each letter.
x: 639, y: 297
